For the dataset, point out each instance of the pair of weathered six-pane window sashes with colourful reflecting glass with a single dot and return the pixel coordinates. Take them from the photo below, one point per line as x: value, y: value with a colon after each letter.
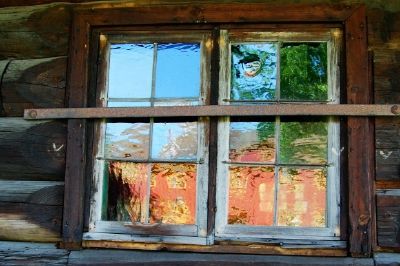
x: 277, y: 177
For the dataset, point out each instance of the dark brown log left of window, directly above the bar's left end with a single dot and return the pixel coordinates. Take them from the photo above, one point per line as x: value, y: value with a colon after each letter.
x: 33, y: 83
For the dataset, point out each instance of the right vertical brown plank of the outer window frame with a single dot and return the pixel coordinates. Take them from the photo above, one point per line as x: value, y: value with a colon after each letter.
x: 360, y: 137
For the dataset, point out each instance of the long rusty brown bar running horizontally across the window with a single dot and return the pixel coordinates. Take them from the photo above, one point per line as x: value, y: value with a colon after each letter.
x: 217, y: 110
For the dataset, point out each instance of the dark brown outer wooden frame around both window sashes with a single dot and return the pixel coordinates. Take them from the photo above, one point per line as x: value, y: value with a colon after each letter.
x: 360, y: 139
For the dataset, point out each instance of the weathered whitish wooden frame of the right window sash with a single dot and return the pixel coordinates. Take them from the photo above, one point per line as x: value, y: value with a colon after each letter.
x: 333, y: 39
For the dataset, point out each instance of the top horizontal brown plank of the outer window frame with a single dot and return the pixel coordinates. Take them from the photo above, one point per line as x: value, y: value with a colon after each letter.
x: 217, y: 13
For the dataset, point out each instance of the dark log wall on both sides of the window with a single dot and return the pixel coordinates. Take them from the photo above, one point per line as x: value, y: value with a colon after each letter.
x: 33, y: 63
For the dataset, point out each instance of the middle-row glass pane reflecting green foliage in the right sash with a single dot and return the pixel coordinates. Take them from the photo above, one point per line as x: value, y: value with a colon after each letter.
x: 303, y: 142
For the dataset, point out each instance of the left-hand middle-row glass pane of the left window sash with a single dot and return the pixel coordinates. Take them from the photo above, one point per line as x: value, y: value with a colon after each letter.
x: 127, y: 140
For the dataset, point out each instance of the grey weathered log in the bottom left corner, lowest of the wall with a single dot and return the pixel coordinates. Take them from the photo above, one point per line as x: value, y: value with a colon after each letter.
x: 17, y: 253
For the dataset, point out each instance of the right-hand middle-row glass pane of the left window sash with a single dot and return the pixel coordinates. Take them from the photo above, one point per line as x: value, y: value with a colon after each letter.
x: 174, y: 141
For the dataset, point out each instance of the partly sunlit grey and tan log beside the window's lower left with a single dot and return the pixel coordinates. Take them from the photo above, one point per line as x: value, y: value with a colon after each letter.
x: 31, y: 210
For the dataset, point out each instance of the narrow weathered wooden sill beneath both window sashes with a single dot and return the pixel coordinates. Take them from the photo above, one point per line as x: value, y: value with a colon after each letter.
x: 197, y: 244
